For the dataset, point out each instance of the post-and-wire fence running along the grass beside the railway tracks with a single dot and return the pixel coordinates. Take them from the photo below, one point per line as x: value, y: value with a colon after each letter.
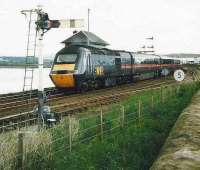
x: 23, y: 149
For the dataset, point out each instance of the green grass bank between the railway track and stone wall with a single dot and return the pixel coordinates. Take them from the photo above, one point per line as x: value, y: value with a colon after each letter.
x: 135, y: 145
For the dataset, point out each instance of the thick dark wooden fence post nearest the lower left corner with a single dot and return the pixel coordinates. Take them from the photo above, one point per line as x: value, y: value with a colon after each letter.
x: 20, y: 151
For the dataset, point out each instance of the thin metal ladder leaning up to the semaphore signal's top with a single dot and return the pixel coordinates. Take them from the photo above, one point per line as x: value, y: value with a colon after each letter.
x: 30, y: 61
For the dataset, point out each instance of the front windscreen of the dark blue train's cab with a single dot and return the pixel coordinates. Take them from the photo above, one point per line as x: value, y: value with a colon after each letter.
x: 66, y: 58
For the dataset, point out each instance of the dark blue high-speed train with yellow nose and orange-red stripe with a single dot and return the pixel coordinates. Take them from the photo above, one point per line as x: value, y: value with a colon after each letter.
x: 85, y: 67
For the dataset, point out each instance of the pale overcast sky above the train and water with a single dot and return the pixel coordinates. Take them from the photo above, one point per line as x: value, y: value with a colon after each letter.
x: 125, y: 24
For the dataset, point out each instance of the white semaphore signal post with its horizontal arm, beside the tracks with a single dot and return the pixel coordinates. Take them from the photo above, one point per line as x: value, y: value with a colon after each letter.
x: 44, y: 24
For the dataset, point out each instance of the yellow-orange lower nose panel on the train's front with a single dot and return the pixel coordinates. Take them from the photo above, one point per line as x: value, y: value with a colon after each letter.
x: 63, y: 80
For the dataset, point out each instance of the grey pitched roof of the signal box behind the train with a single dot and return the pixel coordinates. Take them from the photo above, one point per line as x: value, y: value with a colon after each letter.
x: 83, y: 37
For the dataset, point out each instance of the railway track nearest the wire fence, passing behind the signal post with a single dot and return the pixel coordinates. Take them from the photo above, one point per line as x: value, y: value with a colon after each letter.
x: 63, y: 105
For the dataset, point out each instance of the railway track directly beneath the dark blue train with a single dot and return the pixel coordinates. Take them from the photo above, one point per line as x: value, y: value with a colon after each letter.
x: 19, y: 104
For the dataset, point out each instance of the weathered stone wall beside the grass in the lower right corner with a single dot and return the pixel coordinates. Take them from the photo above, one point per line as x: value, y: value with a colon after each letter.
x: 181, y: 150
